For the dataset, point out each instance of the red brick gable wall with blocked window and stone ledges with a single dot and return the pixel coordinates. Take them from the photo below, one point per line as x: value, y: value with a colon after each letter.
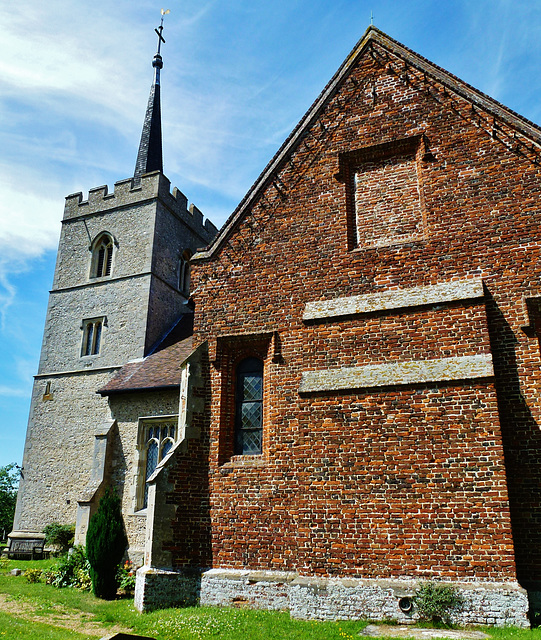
x: 392, y: 481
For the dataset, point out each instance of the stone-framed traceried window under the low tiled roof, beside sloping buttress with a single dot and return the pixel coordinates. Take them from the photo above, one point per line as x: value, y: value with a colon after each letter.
x: 156, y: 439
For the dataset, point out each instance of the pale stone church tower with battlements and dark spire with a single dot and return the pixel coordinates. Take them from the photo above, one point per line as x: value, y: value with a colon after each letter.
x: 121, y: 282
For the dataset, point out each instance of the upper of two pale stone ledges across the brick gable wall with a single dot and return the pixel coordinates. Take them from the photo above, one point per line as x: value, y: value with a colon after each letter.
x: 395, y: 299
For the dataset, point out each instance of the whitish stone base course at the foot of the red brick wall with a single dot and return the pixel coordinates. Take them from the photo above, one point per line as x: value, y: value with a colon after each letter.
x: 486, y: 603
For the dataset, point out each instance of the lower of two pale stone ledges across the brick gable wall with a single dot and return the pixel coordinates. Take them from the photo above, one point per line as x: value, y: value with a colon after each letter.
x: 398, y: 373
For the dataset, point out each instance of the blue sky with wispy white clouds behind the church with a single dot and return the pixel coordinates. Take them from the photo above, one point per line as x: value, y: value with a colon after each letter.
x: 238, y: 75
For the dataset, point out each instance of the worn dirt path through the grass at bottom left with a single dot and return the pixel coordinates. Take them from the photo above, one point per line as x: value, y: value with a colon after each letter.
x: 58, y: 616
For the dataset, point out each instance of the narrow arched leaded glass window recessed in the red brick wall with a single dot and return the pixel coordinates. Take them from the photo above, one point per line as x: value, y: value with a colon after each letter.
x: 249, y: 407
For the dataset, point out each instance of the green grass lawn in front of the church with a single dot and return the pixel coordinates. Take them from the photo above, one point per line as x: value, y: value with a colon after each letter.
x: 44, y: 612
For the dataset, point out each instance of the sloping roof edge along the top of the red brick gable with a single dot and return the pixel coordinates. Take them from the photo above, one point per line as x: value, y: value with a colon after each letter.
x: 476, y: 98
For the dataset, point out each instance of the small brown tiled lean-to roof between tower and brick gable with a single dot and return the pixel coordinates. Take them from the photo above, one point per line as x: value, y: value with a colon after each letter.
x: 161, y: 368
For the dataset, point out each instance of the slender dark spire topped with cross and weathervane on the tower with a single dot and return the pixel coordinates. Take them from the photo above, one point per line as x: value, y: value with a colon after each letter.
x: 149, y: 157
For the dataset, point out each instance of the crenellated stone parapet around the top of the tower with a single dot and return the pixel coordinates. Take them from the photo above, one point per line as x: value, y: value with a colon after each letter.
x: 152, y: 186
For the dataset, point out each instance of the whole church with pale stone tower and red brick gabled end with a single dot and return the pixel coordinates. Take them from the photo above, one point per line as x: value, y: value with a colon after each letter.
x: 335, y: 397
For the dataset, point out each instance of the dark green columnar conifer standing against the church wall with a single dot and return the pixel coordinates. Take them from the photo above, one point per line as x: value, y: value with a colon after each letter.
x: 106, y: 543
